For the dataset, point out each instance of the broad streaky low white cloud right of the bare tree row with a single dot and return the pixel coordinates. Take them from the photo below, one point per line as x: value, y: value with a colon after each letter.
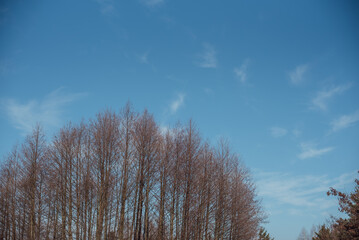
x: 306, y: 191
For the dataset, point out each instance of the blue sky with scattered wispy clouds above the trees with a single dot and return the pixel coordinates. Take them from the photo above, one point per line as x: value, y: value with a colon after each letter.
x: 279, y: 79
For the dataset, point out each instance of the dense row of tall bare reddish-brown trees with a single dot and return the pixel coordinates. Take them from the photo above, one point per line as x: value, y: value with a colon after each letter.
x: 120, y: 177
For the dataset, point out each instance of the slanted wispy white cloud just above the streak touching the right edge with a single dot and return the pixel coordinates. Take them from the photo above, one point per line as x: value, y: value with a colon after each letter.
x: 322, y: 97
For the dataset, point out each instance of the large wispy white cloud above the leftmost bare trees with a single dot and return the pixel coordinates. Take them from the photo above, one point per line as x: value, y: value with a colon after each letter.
x: 47, y: 112
